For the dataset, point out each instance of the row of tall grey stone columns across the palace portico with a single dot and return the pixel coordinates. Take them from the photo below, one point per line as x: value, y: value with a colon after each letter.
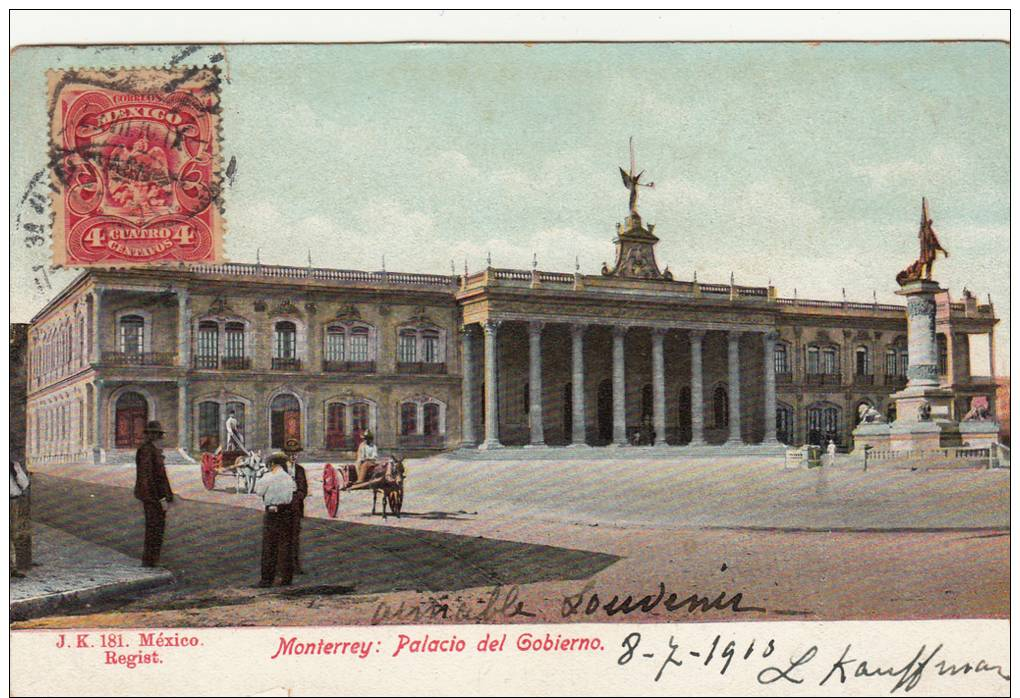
x: 491, y: 438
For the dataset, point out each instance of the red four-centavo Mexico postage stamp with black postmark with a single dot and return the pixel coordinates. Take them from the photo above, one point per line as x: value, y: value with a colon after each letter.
x: 135, y: 167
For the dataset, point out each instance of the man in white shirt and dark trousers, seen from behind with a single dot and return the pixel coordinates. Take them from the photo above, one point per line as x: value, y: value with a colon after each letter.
x: 277, y: 489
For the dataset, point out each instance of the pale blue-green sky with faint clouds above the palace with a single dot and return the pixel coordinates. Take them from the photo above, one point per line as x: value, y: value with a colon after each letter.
x: 804, y: 165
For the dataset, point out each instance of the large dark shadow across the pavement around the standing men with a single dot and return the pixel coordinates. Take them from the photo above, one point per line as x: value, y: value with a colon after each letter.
x: 217, y: 549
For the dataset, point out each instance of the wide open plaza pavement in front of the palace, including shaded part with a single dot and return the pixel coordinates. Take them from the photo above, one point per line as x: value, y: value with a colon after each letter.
x: 820, y: 544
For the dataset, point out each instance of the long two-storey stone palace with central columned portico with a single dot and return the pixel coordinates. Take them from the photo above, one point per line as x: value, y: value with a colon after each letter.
x: 500, y: 358
